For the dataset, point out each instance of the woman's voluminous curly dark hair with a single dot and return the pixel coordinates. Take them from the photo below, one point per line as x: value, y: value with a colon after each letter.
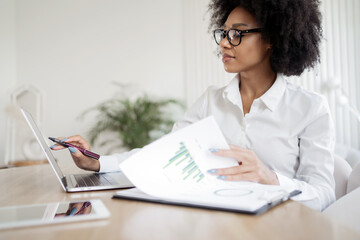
x: 292, y: 27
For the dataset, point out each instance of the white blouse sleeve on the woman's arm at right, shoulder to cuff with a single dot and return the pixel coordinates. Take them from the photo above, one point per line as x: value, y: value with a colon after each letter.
x: 314, y: 176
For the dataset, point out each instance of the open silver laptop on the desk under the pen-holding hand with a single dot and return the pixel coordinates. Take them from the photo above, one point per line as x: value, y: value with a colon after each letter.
x: 77, y: 182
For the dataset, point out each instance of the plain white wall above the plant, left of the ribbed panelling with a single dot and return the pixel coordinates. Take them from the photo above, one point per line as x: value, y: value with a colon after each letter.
x: 72, y: 50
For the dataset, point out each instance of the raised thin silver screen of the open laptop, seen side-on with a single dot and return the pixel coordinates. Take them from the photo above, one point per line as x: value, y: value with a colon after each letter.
x: 43, y: 144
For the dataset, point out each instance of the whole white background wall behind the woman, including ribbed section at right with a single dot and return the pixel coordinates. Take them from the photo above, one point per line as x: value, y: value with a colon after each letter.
x: 70, y: 53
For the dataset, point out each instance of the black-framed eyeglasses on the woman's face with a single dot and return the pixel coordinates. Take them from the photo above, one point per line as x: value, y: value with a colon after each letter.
x: 233, y: 35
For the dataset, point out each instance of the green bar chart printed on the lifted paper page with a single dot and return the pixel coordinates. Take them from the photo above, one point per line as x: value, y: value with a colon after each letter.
x: 183, y: 162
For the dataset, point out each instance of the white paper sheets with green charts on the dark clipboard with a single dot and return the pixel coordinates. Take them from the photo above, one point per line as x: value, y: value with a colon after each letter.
x: 176, y: 165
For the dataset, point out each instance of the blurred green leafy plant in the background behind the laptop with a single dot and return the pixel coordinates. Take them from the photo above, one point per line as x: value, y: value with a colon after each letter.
x: 135, y: 122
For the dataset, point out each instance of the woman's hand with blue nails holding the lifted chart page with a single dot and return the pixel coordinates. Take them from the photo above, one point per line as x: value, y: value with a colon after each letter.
x: 250, y: 168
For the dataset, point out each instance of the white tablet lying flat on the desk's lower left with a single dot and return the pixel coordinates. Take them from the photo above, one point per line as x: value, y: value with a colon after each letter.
x: 51, y: 213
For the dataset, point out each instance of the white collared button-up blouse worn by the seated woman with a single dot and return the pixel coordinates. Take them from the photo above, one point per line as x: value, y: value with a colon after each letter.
x: 290, y: 129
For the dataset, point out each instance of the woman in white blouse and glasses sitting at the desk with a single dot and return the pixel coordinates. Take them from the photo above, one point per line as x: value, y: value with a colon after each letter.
x: 279, y: 133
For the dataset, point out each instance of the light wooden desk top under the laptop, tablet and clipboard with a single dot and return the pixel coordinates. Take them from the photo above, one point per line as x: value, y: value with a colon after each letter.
x: 137, y: 220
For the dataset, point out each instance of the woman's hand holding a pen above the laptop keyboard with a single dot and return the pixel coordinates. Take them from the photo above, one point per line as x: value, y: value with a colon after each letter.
x: 82, y: 161
